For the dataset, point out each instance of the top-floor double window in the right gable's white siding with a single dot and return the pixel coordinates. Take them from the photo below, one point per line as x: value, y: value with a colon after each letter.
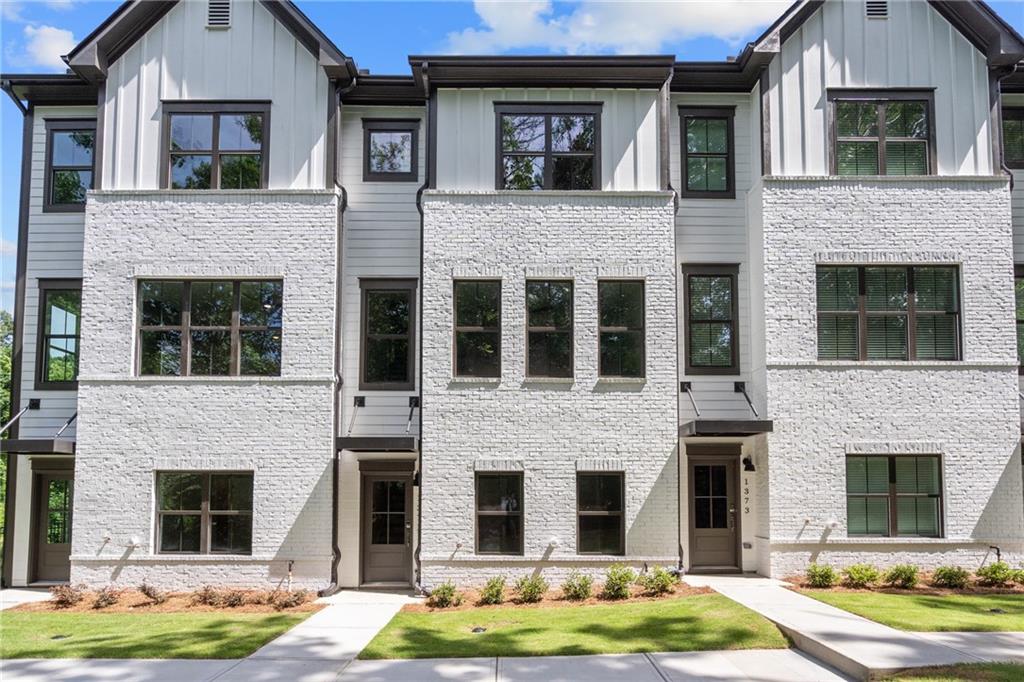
x: 882, y: 133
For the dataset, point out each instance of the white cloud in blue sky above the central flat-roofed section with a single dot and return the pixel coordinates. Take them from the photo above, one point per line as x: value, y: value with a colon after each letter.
x: 598, y: 26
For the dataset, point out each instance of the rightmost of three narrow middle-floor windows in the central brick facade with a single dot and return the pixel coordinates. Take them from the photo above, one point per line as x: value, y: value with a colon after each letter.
x: 621, y: 328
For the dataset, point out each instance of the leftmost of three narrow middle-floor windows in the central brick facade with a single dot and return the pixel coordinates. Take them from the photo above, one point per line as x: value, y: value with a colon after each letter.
x: 479, y: 328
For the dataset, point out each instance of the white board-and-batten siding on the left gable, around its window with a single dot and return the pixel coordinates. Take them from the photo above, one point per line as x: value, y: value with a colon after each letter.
x: 180, y: 59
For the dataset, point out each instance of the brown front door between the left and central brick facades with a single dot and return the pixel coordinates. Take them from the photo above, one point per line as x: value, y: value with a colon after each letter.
x: 388, y: 528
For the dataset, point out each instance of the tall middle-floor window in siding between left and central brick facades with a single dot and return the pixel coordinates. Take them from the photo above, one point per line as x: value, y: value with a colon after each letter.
x: 389, y: 344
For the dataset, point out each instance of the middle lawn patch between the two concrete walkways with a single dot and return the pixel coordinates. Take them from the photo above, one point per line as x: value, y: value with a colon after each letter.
x: 688, y: 624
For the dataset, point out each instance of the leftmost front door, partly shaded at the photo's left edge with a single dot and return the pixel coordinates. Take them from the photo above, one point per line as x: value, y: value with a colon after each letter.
x: 54, y: 509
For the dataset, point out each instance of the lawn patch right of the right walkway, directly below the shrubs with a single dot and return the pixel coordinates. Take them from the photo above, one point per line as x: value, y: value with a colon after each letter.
x: 930, y: 613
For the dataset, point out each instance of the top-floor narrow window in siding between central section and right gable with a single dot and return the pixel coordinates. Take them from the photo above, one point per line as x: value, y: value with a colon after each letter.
x: 709, y: 162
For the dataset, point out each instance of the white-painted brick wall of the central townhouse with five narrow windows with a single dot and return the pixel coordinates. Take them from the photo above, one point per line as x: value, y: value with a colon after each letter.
x: 547, y: 429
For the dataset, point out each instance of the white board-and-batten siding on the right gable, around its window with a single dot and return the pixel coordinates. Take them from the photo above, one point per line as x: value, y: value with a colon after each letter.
x: 914, y: 49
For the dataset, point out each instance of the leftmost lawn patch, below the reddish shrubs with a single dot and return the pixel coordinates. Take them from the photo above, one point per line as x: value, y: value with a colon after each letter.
x: 204, y: 635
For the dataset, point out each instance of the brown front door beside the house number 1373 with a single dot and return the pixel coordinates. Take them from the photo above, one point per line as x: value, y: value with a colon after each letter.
x: 714, y: 522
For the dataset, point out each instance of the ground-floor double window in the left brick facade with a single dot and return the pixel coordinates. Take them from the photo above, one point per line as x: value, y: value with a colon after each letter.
x: 205, y: 514
